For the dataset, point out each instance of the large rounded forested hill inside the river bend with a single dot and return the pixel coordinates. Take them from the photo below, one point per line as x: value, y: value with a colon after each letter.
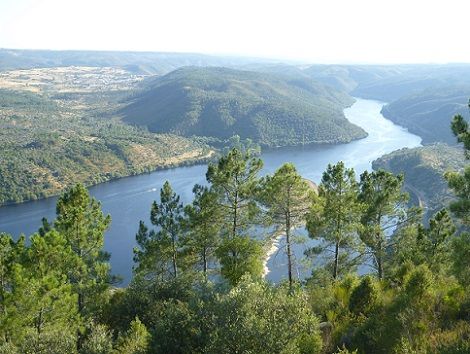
x: 220, y: 102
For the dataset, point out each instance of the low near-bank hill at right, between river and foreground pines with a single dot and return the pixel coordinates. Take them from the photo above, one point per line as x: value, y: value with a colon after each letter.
x: 424, y: 169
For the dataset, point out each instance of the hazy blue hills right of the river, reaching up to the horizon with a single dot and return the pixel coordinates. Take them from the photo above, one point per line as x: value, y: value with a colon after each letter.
x: 422, y: 98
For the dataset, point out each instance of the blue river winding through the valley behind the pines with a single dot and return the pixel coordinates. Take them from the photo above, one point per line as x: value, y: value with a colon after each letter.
x: 128, y: 199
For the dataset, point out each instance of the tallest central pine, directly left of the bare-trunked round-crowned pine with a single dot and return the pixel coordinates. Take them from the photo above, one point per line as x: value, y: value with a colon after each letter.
x: 235, y: 181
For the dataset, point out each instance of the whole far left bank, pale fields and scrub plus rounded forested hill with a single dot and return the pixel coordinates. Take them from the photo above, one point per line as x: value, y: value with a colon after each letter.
x: 91, y: 124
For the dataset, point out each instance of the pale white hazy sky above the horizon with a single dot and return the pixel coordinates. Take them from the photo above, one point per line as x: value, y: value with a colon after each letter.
x: 368, y: 31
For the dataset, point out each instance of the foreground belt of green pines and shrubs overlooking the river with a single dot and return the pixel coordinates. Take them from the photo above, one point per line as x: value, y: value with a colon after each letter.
x: 198, y: 285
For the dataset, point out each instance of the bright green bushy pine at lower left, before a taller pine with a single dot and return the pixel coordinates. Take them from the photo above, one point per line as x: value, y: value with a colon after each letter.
x: 51, y: 304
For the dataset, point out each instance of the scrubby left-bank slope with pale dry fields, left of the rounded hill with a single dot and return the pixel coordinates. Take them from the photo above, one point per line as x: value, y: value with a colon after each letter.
x: 56, y: 128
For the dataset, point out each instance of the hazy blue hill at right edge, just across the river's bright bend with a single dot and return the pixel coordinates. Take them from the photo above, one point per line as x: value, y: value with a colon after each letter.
x: 429, y: 113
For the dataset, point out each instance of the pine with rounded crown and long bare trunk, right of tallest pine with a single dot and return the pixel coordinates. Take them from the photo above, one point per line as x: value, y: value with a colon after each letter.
x: 288, y: 199
